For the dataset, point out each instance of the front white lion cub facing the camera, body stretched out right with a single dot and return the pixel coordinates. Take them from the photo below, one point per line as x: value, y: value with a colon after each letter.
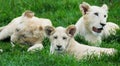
x: 62, y: 40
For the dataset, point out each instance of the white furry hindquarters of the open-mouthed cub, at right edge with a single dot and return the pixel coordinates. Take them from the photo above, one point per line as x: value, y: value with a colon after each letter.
x: 110, y: 29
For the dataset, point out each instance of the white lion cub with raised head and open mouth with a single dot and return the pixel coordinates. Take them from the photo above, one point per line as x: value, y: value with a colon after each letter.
x: 92, y: 25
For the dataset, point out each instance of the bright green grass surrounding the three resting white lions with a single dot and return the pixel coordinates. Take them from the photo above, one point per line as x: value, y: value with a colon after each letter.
x: 61, y: 13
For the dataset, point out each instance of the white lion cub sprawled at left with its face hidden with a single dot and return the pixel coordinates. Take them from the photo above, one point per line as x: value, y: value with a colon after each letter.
x: 26, y: 29
